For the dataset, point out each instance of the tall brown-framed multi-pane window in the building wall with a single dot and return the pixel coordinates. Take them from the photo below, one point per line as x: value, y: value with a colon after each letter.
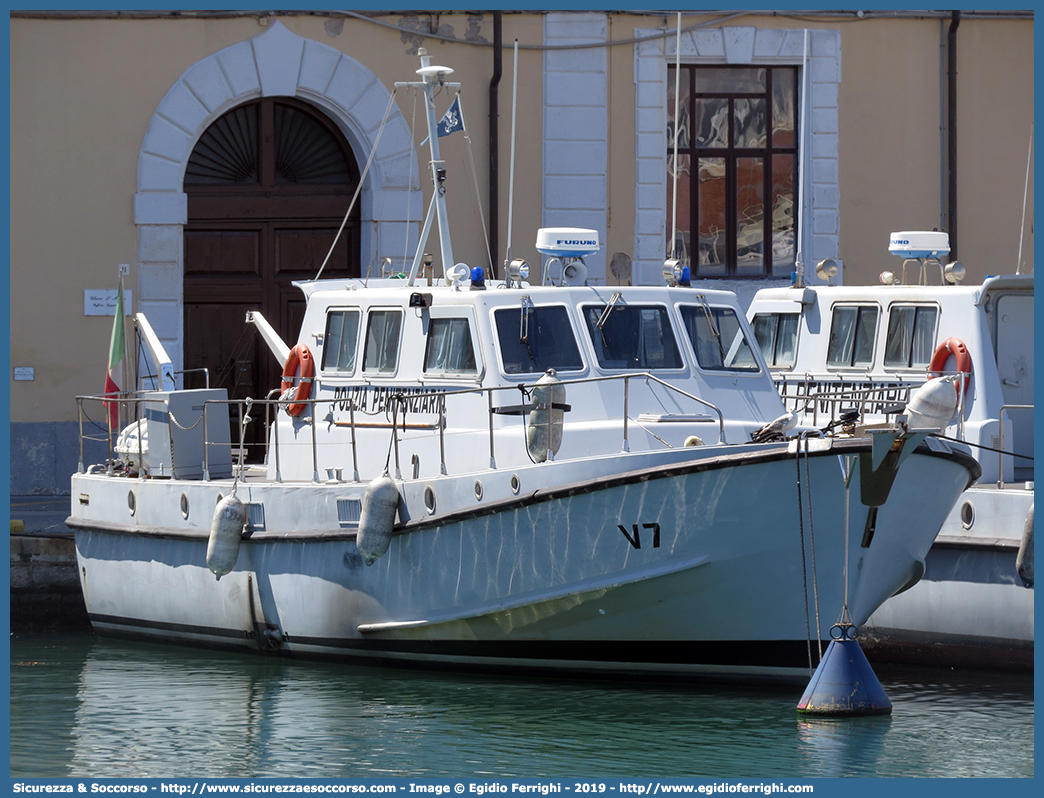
x: 738, y: 168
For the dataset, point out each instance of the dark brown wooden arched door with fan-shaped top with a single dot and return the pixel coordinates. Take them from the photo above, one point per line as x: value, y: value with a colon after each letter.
x: 268, y: 186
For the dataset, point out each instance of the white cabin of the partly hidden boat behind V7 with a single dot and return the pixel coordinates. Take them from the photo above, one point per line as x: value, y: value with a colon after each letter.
x: 837, y: 349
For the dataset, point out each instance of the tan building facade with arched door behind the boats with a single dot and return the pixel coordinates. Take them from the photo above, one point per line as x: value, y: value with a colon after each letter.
x: 216, y: 153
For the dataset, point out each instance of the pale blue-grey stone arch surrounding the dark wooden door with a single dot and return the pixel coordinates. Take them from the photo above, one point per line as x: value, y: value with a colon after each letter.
x: 275, y: 63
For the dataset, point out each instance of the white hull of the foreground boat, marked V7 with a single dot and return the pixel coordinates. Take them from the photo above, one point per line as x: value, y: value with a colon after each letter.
x: 701, y: 568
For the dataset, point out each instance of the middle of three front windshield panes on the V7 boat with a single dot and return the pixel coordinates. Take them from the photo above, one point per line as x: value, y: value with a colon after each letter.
x: 632, y: 337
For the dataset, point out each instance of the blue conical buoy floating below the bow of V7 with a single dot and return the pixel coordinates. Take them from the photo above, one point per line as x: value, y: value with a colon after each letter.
x: 845, y: 685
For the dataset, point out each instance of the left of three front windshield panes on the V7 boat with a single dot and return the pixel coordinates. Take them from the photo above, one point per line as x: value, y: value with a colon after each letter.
x: 534, y: 340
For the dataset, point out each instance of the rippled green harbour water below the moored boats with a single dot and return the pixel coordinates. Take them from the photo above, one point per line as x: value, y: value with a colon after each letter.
x: 84, y: 707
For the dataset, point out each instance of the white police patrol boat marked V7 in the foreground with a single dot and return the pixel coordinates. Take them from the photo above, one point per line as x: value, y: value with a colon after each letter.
x: 491, y: 475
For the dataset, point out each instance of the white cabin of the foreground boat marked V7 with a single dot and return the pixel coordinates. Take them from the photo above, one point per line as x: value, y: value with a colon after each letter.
x: 453, y: 367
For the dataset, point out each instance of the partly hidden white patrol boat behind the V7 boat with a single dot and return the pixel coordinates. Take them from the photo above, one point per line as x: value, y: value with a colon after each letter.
x: 861, y: 351
